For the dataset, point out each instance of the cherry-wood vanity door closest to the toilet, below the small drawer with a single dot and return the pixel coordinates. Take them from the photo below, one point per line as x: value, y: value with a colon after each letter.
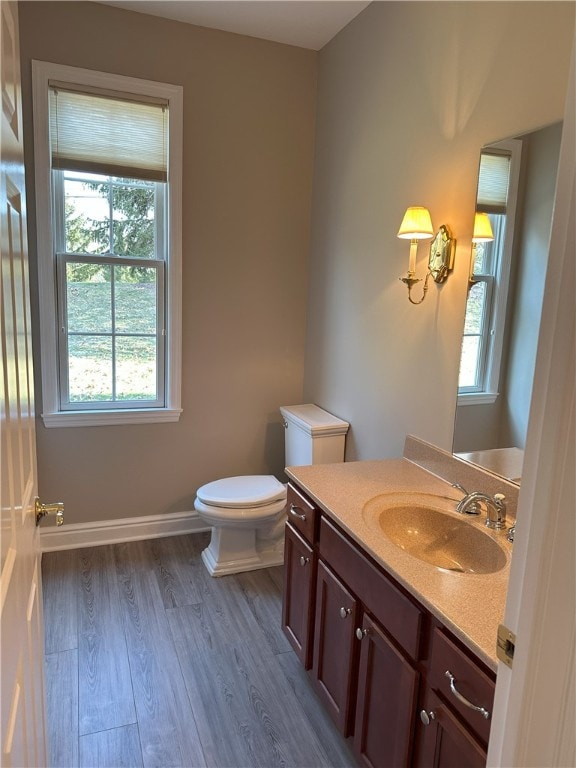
x: 298, y: 601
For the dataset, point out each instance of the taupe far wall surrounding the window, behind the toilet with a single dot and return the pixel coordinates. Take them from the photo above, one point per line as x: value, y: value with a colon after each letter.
x: 249, y: 109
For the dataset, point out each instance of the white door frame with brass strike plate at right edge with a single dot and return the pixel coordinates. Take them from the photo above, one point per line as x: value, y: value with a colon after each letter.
x: 535, y: 704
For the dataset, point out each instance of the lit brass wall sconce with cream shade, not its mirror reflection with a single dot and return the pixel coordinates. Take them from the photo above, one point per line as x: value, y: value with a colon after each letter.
x: 417, y: 225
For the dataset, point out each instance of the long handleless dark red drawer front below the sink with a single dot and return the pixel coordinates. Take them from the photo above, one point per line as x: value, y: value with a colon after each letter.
x: 402, y: 618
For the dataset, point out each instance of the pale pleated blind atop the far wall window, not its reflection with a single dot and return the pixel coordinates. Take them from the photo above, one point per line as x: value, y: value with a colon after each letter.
x: 108, y: 134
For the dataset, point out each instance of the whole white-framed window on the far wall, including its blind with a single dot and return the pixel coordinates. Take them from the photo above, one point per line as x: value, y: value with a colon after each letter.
x: 108, y: 190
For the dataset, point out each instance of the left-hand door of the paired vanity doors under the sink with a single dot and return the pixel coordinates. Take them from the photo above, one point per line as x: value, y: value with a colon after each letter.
x: 334, y: 645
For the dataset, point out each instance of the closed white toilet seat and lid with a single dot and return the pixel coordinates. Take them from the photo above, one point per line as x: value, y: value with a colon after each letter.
x: 248, y: 493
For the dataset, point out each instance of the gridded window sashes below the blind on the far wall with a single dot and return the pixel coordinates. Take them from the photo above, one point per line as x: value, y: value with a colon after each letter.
x: 110, y: 267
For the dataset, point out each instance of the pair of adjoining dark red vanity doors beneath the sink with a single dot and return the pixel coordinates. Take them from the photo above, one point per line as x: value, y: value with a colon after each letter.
x: 364, y: 681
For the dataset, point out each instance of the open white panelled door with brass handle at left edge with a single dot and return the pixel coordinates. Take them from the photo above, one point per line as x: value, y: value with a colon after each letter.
x: 23, y: 739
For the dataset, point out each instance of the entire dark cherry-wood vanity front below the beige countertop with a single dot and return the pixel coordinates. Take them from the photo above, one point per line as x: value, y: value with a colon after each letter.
x: 377, y: 659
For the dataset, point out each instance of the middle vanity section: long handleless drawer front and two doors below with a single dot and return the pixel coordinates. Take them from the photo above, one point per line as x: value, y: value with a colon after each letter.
x: 367, y: 640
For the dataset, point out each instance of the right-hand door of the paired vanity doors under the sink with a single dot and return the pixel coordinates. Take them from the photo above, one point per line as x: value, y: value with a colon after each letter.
x: 385, y: 702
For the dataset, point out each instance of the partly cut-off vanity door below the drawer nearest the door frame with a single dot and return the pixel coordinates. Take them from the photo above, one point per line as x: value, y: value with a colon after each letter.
x: 445, y: 742
